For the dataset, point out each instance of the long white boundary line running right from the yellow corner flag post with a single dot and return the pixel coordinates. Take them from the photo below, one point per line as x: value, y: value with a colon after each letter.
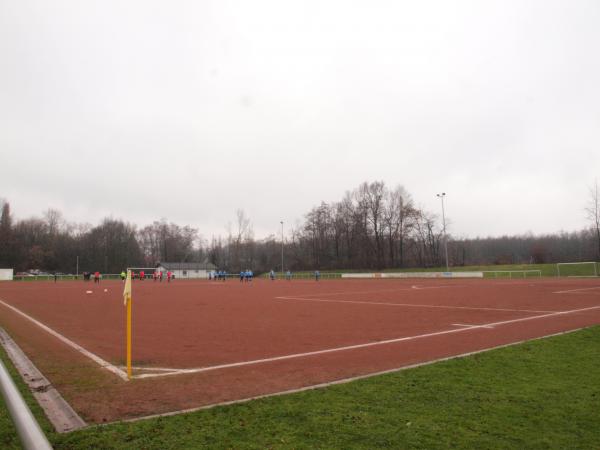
x: 357, y: 346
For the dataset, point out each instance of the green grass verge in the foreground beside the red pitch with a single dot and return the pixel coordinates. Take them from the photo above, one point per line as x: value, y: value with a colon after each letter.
x: 540, y: 394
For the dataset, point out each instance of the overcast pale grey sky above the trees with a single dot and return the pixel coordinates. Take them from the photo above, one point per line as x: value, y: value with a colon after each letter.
x: 189, y: 110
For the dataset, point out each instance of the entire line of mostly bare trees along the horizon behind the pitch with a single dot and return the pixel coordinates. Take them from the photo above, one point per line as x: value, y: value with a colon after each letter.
x: 373, y: 227
